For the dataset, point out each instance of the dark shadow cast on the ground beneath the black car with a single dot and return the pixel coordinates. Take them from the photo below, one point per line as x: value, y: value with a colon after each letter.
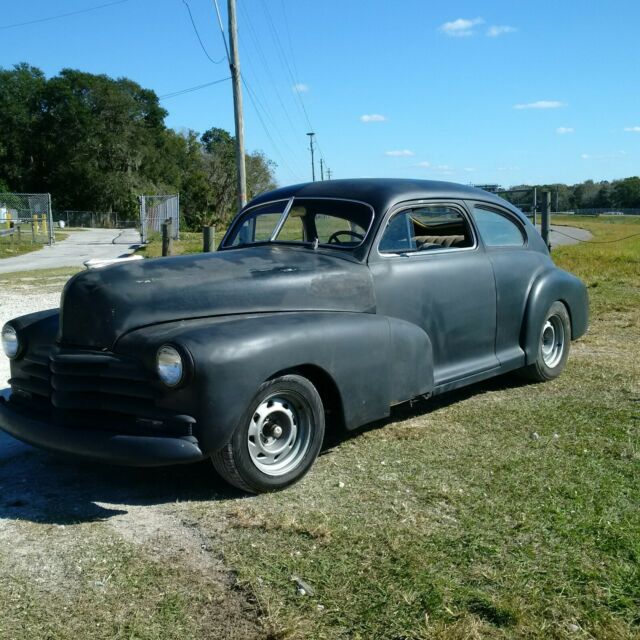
x: 40, y: 487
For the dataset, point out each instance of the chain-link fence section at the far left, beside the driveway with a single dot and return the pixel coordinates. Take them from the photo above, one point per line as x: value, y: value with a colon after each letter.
x: 26, y: 217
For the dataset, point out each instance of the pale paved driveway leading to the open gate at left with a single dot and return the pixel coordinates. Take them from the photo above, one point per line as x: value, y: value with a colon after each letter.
x: 79, y: 247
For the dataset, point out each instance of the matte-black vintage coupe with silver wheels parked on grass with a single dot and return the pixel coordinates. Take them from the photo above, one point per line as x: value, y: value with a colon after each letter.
x: 327, y: 302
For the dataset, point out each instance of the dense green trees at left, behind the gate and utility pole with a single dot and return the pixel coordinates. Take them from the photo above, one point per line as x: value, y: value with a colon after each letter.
x: 95, y: 143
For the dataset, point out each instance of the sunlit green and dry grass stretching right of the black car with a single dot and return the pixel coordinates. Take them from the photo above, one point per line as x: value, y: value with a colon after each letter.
x: 455, y: 520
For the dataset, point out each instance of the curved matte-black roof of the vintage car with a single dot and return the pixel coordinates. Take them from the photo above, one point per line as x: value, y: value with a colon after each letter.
x: 382, y: 193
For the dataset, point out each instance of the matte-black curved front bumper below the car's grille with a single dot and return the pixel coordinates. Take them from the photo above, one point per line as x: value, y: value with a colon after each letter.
x: 103, y: 446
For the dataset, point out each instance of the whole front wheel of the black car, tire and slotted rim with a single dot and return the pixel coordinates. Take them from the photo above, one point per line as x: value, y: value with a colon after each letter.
x: 277, y: 439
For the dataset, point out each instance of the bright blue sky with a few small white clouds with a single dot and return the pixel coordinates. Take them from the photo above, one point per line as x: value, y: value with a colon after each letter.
x: 504, y: 92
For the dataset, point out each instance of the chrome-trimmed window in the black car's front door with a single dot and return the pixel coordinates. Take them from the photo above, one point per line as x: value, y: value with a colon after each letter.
x: 427, y: 228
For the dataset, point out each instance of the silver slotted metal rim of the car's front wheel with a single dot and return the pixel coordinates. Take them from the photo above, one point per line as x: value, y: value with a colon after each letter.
x: 279, y: 433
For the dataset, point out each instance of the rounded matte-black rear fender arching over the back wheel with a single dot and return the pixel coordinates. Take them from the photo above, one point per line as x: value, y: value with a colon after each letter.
x: 550, y: 286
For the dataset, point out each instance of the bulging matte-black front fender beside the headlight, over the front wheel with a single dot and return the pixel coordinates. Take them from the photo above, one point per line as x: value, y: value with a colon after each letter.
x: 374, y: 361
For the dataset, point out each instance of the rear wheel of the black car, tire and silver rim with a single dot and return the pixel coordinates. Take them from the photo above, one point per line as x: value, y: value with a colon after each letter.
x: 554, y: 339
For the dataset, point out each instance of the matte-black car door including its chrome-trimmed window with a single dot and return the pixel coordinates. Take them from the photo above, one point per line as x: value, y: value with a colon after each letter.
x: 429, y: 269
